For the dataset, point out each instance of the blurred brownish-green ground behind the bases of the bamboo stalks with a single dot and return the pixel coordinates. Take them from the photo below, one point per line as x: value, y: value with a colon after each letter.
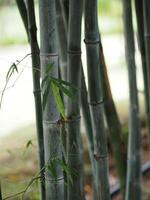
x: 19, y: 165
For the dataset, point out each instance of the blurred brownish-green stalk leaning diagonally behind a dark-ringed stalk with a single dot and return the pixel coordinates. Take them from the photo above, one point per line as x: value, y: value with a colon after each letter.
x: 114, y: 124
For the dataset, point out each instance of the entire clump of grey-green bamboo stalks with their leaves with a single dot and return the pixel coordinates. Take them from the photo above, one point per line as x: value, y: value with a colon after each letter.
x: 62, y: 97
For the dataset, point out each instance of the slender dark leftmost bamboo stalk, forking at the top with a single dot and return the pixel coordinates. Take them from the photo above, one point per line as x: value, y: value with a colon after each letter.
x: 28, y: 17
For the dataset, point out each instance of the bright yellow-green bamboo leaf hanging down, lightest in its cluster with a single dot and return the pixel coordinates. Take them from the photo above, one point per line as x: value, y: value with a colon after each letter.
x: 58, y: 99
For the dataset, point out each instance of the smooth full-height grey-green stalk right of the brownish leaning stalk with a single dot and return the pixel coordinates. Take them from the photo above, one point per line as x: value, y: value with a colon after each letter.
x: 133, y: 189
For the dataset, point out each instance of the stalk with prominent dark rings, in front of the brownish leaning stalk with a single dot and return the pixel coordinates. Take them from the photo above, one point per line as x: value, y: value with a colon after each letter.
x: 95, y: 98
